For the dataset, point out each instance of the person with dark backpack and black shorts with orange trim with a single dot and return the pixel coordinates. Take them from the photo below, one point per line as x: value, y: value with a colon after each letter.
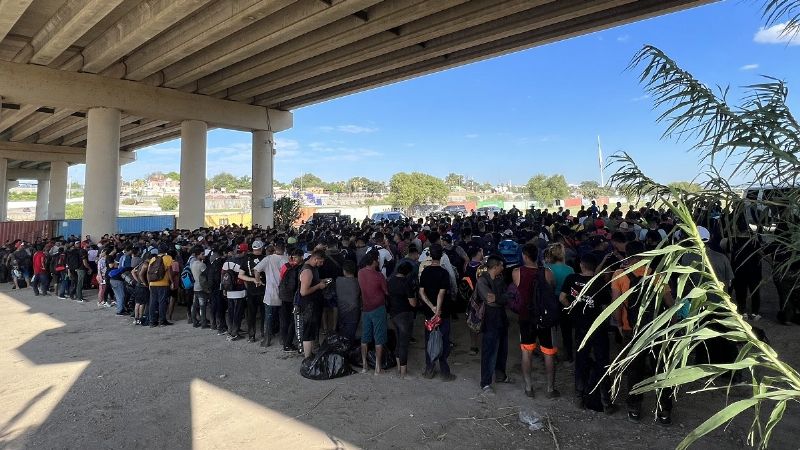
x: 527, y: 278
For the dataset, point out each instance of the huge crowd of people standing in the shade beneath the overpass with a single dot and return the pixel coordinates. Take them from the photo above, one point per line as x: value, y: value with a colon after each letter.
x: 295, y: 287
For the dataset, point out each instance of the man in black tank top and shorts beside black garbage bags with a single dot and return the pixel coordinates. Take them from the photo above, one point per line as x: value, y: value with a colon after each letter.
x: 311, y: 300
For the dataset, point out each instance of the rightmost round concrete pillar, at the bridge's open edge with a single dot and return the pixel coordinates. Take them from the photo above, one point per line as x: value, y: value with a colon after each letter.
x: 263, y: 175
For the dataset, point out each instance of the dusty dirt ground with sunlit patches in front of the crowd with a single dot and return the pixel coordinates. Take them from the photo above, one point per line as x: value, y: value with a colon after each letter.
x: 77, y: 376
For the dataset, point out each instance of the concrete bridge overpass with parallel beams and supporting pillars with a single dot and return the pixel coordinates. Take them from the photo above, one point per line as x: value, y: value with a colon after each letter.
x: 92, y: 81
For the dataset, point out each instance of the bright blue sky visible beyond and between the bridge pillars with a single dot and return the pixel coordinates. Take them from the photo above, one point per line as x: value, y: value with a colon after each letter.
x: 509, y: 118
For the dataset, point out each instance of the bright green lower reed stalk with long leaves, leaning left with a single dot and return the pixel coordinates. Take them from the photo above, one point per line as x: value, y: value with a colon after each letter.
x: 712, y: 314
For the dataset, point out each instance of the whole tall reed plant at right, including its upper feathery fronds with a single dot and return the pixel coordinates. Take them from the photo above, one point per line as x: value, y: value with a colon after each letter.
x: 758, y: 143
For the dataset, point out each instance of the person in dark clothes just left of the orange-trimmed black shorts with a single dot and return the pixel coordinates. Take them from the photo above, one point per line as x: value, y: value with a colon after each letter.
x: 491, y: 291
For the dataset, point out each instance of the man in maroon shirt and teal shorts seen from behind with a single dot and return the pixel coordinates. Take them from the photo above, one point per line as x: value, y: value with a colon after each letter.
x: 374, y: 290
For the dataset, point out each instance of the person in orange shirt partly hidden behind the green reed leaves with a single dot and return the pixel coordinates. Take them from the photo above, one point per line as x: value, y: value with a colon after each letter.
x: 627, y: 319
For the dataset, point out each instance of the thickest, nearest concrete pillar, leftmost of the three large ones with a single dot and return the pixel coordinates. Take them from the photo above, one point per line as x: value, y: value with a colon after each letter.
x: 101, y: 190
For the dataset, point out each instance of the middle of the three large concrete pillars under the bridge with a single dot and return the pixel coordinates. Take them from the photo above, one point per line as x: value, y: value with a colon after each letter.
x: 192, y: 201
